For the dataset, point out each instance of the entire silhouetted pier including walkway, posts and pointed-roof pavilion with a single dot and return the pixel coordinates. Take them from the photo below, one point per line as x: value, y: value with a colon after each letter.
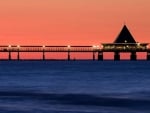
x: 124, y: 43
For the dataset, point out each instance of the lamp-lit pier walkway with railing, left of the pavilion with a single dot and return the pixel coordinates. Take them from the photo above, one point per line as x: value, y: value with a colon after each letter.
x: 47, y: 48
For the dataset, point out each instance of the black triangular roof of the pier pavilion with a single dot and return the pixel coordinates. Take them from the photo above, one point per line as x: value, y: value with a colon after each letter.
x: 125, y: 36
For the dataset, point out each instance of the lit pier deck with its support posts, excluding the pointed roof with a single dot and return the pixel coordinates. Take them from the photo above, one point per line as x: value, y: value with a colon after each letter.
x: 95, y: 50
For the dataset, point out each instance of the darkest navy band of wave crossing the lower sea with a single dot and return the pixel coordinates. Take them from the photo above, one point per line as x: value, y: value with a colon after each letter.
x: 81, y: 99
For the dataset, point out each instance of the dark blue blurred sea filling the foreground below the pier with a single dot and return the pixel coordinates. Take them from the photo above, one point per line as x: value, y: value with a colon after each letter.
x: 74, y: 87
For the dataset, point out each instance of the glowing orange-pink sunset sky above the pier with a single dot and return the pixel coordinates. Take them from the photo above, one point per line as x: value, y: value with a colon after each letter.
x: 72, y: 22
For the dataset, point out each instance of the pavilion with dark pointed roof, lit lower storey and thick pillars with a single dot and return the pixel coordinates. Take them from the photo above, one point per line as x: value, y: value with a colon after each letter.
x: 125, y: 43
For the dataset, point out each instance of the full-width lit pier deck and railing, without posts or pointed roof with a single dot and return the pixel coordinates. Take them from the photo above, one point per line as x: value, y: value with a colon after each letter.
x: 104, y: 48
